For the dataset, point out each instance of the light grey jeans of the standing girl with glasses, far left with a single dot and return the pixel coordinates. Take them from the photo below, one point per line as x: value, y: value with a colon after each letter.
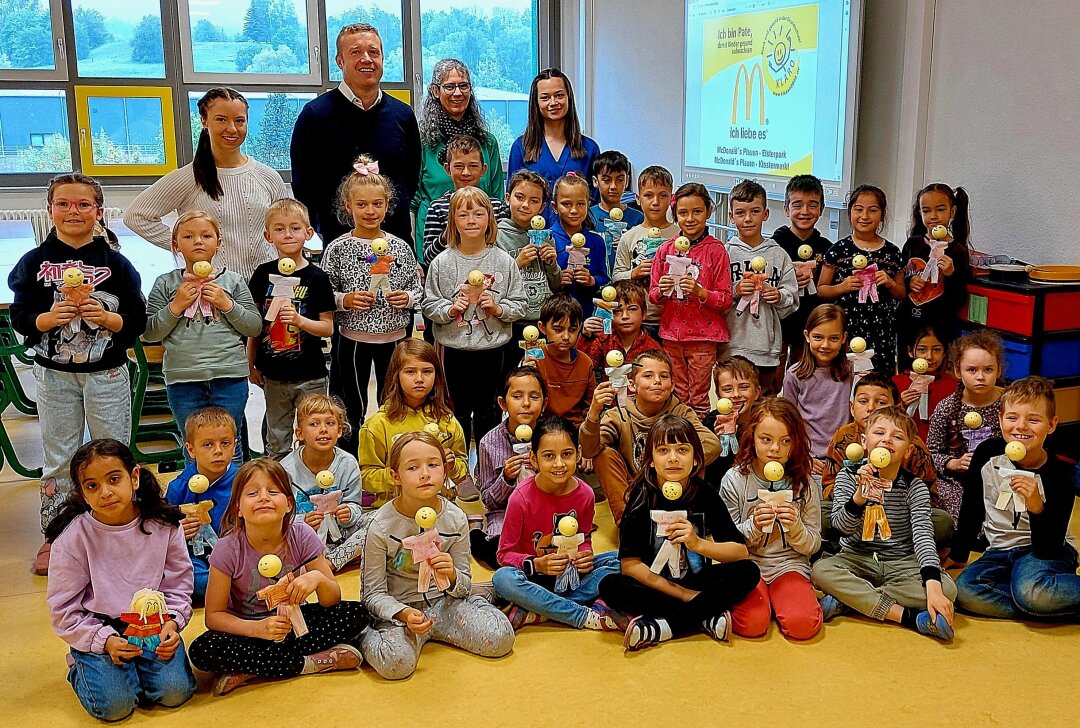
x: 69, y: 405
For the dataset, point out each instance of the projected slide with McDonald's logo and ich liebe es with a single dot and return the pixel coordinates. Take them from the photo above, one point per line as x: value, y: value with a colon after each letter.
x: 767, y: 87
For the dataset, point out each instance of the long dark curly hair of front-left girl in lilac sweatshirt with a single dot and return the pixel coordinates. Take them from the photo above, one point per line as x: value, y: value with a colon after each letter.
x: 148, y: 500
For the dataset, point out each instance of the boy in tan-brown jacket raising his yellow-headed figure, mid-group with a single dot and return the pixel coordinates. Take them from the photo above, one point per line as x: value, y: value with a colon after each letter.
x: 615, y: 436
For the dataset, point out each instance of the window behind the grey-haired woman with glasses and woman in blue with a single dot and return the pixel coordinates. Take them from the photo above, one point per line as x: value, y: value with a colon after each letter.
x: 499, y: 44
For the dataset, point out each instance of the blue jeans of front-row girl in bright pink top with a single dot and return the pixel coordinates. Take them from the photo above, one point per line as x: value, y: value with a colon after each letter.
x: 512, y: 585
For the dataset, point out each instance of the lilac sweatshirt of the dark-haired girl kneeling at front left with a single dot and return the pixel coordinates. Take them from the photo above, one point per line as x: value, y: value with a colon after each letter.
x: 96, y: 570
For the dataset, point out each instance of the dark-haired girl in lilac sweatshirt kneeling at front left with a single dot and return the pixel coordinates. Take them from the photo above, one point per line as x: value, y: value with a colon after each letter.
x: 116, y: 538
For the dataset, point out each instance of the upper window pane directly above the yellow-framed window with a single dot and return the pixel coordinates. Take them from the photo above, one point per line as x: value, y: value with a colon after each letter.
x: 119, y: 39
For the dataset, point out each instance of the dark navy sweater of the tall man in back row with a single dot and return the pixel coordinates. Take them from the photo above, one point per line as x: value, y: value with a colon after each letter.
x: 331, y: 133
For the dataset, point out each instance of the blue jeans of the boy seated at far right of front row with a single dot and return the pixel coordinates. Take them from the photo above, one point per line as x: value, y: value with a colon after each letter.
x: 1015, y: 584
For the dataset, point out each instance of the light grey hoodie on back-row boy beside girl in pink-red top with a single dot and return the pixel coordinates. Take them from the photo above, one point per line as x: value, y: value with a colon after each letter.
x: 759, y: 338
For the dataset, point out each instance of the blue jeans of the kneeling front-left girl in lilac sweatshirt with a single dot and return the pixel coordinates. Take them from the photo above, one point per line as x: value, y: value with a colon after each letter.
x: 111, y: 693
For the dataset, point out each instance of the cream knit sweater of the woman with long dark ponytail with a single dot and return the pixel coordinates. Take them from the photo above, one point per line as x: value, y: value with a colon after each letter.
x: 247, y: 193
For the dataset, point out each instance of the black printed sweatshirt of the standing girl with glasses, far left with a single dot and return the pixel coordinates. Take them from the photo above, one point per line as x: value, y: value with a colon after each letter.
x: 35, y: 282
